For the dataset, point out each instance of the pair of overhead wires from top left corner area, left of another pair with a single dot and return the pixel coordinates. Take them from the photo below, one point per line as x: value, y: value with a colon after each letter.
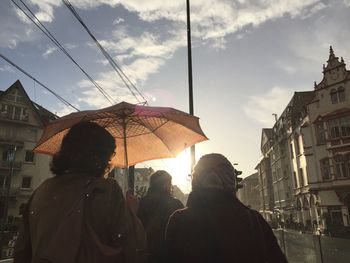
x: 37, y: 22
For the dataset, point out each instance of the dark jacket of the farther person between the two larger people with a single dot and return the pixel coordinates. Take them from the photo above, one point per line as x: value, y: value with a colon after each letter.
x: 154, y: 212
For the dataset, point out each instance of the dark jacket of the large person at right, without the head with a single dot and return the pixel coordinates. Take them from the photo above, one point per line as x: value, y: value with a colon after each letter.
x: 217, y: 227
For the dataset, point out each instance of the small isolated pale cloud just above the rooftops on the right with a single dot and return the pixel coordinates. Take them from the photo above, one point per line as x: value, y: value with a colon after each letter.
x: 261, y: 107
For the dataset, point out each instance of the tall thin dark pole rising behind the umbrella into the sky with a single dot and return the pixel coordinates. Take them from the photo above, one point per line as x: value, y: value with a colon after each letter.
x: 190, y: 81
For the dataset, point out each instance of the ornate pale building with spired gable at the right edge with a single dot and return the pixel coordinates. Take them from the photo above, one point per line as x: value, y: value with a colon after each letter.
x: 323, y: 186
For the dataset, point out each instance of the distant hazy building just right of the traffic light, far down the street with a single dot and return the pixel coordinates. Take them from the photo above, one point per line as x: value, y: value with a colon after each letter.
x: 249, y: 194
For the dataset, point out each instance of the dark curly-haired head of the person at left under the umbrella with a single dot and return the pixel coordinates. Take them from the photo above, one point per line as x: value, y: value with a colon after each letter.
x: 86, y: 148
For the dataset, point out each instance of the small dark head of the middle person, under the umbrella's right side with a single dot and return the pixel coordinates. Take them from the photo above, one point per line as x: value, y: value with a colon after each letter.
x: 160, y: 182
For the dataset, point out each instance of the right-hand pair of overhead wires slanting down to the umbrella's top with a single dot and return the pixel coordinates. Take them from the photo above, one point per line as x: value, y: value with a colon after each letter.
x: 128, y: 83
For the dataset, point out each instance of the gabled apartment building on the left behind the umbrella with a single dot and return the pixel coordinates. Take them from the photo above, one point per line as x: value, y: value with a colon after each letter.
x: 21, y: 170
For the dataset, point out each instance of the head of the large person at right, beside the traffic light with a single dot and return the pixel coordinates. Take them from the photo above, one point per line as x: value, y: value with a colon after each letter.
x: 214, y: 171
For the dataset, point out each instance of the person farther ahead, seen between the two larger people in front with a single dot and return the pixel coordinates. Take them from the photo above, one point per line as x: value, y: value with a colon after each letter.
x: 154, y: 212
